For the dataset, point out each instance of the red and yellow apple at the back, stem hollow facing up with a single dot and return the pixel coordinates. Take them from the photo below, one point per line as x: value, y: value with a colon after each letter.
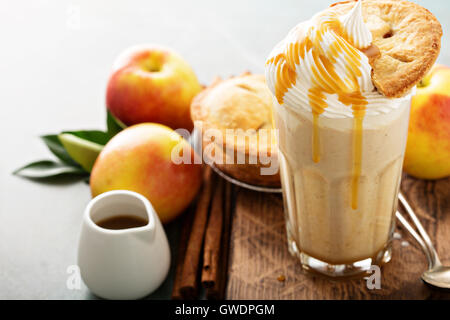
x: 152, y: 83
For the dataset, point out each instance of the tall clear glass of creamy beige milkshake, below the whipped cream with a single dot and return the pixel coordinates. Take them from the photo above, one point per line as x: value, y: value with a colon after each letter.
x: 338, y: 224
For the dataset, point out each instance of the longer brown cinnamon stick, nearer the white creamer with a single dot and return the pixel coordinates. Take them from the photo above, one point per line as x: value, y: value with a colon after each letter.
x: 189, y: 275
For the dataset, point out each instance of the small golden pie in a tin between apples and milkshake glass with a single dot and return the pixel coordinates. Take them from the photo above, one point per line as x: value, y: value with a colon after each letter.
x: 244, y: 105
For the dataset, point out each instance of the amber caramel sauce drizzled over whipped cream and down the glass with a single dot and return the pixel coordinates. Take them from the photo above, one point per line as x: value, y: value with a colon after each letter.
x: 325, y: 80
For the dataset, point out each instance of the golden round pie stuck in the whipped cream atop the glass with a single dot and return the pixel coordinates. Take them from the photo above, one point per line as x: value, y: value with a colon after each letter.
x: 409, y: 38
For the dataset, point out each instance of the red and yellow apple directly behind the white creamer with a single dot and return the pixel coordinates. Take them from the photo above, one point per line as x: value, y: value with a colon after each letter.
x: 139, y: 159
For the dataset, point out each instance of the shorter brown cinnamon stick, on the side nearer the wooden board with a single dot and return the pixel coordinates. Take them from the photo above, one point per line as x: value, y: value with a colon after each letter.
x: 213, y: 237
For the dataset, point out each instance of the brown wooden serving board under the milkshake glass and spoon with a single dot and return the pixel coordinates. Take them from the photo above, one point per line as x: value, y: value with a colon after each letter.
x: 259, y: 254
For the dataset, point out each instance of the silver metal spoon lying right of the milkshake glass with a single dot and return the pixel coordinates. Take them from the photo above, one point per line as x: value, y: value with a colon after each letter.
x: 437, y: 275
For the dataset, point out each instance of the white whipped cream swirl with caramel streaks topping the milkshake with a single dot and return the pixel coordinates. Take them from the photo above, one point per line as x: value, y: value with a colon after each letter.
x: 320, y: 67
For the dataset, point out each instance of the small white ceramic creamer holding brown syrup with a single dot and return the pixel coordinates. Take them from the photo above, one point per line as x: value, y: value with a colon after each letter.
x: 126, y: 263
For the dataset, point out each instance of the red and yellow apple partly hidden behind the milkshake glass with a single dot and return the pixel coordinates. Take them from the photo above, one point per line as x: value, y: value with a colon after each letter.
x: 428, y: 148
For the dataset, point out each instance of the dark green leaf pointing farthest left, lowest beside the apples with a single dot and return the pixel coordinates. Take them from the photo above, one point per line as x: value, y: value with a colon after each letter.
x: 47, y: 168
